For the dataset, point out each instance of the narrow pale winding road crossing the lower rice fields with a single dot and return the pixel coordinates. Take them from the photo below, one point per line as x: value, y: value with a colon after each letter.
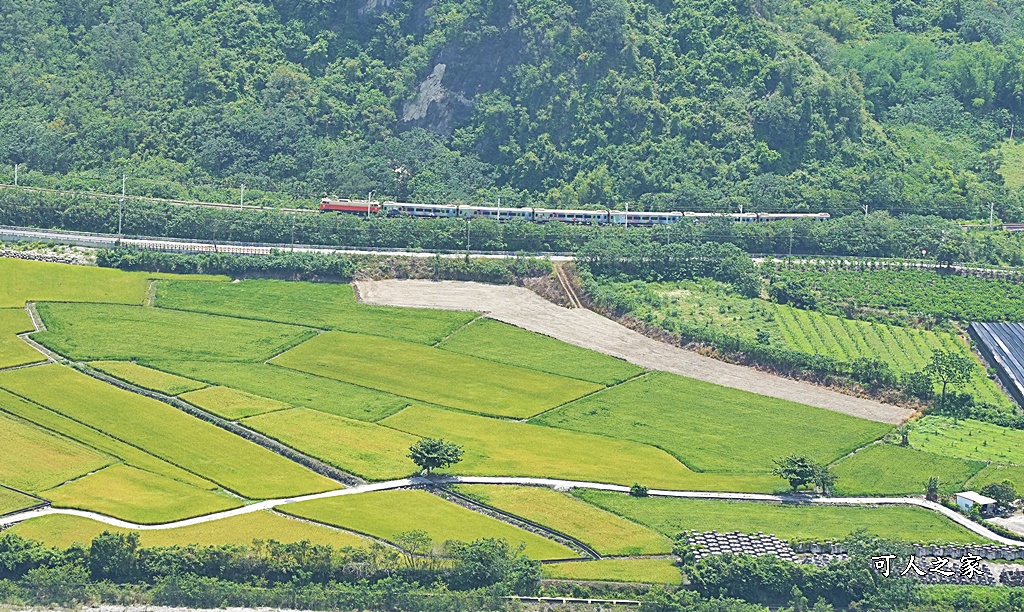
x: 504, y: 480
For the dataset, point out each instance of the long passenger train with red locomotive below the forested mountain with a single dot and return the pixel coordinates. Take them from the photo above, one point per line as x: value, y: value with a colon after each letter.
x: 542, y: 215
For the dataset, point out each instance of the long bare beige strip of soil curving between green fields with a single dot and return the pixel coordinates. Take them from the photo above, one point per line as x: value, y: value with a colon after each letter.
x: 583, y: 328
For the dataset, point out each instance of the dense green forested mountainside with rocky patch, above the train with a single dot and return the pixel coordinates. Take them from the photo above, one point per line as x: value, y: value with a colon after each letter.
x: 907, y: 106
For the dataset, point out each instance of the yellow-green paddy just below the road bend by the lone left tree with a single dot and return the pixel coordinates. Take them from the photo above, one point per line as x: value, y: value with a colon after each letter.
x: 441, y: 519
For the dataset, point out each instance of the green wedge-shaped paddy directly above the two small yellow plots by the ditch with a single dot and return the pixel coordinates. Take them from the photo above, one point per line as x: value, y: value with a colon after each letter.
x: 292, y: 387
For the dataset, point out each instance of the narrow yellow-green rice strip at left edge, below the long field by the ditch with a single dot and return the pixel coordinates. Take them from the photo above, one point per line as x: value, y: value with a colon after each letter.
x: 50, y: 421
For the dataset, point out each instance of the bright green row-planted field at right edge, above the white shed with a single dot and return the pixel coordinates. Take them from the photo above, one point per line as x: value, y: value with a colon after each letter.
x: 969, y: 440
